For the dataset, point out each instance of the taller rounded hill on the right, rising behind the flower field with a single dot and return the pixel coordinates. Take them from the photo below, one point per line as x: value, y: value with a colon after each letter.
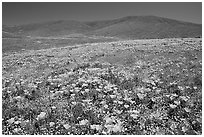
x: 140, y: 27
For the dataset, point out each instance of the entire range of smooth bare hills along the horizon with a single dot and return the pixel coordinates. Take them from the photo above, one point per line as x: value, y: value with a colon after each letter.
x: 131, y: 27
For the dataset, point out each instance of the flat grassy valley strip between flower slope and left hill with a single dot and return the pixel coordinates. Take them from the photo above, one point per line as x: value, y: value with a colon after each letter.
x: 34, y: 43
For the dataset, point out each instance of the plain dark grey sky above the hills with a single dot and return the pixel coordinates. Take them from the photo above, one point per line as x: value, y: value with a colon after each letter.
x: 22, y: 13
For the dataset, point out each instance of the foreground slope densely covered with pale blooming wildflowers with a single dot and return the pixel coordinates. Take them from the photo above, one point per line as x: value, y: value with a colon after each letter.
x: 134, y: 87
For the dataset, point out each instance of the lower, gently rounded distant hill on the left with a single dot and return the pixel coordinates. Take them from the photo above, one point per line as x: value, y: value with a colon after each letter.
x: 55, y: 28
